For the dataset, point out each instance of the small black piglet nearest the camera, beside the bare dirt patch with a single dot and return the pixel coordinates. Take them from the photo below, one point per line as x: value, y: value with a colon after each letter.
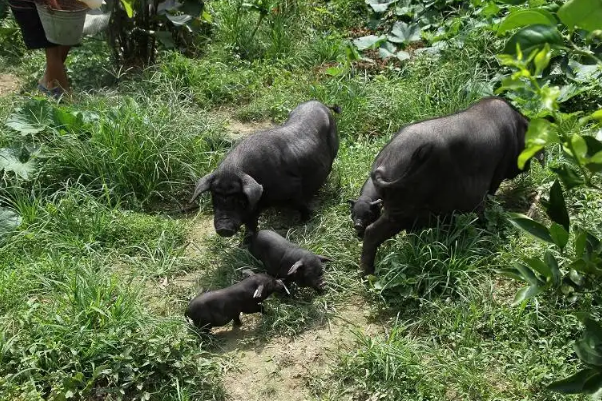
x: 219, y: 307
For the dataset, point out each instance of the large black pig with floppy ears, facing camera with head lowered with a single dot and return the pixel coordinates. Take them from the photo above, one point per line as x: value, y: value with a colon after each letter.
x: 285, y: 165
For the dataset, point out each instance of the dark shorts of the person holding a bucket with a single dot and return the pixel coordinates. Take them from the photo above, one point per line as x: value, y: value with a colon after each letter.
x: 27, y: 17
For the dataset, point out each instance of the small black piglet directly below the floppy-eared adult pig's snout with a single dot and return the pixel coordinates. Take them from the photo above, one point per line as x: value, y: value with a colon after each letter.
x: 287, y: 261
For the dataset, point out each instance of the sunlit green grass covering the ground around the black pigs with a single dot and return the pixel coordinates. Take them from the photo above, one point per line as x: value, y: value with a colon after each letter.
x: 94, y: 282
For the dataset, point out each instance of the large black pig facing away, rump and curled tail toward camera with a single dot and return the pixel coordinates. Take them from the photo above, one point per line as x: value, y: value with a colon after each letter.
x: 442, y: 165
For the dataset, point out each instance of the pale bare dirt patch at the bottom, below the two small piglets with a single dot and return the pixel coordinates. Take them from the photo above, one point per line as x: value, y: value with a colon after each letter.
x: 280, y: 368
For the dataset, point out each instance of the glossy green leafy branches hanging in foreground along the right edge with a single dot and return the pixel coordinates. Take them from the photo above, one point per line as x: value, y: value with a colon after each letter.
x: 565, y: 35
